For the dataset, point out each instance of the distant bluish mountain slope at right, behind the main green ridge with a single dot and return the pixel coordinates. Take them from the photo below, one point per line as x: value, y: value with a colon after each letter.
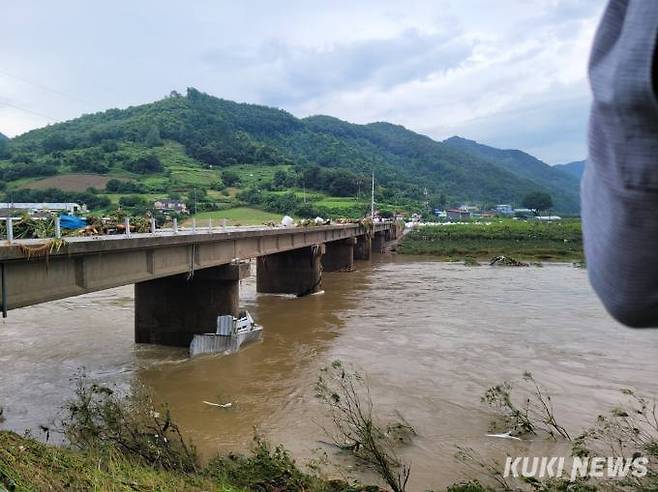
x: 564, y: 188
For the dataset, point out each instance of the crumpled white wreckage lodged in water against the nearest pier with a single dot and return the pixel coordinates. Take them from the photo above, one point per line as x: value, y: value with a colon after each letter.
x: 230, y: 335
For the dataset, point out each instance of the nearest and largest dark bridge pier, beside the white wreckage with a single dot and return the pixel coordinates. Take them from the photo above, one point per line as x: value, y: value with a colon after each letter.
x: 170, y: 310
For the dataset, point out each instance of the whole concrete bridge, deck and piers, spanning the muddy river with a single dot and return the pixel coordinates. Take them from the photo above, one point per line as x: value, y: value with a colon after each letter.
x: 183, y: 278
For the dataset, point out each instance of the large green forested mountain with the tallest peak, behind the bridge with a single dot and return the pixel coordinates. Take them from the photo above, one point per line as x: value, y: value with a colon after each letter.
x: 150, y: 142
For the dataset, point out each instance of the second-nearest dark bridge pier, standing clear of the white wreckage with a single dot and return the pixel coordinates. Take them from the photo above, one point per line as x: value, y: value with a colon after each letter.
x: 298, y: 271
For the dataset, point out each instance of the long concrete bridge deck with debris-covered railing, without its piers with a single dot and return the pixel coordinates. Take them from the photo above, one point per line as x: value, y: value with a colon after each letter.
x: 87, y: 264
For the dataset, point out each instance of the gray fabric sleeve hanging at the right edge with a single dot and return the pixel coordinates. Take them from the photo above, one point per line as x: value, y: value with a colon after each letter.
x: 619, y: 191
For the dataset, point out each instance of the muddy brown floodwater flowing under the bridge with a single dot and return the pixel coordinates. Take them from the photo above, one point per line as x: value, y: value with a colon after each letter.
x: 431, y: 337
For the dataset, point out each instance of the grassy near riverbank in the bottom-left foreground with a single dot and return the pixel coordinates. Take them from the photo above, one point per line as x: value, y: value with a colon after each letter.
x: 27, y: 464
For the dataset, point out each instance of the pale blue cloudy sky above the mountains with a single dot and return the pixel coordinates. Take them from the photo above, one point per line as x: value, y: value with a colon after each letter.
x: 509, y: 73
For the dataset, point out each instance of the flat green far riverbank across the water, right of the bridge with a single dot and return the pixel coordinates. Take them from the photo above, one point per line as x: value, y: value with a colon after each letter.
x: 557, y: 241
